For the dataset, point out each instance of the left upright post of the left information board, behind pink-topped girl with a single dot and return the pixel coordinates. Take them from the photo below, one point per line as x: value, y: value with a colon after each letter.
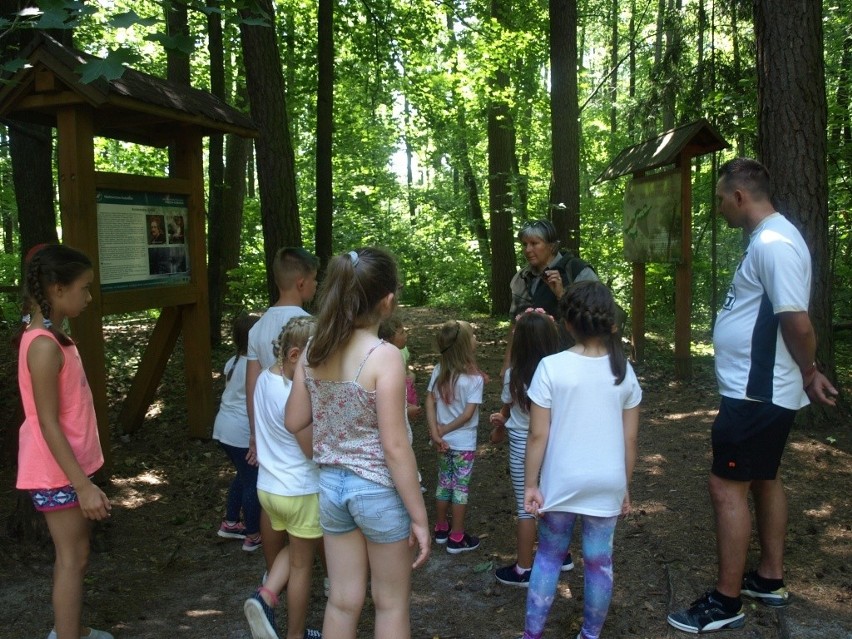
x: 75, y: 133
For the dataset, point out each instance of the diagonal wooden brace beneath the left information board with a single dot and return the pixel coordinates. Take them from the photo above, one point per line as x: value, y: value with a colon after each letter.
x: 150, y: 371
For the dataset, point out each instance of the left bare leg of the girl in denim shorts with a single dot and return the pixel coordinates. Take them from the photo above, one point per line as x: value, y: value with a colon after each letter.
x: 346, y: 557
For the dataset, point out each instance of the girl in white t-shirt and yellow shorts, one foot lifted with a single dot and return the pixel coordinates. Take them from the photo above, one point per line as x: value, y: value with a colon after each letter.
x: 288, y: 489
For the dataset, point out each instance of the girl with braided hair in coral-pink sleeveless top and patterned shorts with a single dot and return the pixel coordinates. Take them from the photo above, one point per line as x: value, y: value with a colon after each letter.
x: 59, y: 448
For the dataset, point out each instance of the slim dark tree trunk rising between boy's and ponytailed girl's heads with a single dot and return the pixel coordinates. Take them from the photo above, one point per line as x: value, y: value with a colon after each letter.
x: 325, y: 124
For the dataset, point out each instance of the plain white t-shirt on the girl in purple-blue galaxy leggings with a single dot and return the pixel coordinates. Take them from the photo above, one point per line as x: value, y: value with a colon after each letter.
x: 583, y: 470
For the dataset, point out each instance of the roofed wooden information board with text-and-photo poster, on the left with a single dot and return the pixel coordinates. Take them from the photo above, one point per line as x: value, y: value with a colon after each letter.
x: 110, y: 216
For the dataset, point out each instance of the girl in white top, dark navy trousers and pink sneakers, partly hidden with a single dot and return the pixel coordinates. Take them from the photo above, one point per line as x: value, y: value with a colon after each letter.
x: 231, y: 430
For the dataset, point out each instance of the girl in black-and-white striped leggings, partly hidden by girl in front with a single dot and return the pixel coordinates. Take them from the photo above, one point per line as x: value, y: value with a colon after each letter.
x: 534, y: 337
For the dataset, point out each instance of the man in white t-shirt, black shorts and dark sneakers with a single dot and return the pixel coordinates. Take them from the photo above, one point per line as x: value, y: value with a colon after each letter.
x: 765, y: 351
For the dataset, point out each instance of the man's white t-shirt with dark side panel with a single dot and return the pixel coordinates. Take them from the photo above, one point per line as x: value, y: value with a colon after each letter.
x: 774, y: 276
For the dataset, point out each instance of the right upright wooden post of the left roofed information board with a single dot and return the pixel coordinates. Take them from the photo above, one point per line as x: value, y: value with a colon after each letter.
x: 195, y: 318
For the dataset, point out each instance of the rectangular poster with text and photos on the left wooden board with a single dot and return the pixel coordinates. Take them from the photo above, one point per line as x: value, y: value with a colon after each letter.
x: 141, y: 239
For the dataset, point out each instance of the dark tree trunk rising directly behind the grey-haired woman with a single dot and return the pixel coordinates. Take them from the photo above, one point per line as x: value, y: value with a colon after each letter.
x: 564, y: 123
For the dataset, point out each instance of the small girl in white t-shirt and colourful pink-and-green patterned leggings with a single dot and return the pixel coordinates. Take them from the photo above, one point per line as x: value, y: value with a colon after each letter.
x: 452, y: 411
